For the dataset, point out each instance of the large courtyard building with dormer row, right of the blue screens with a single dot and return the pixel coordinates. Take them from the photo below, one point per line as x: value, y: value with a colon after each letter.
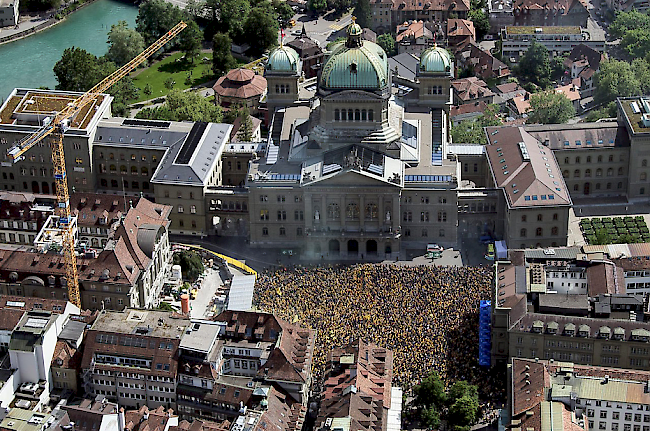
x: 533, y: 318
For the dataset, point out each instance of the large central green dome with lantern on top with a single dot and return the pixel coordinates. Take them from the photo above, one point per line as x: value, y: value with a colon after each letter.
x: 355, y: 64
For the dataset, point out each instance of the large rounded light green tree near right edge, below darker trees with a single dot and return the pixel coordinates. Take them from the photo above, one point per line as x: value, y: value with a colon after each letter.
x: 615, y: 79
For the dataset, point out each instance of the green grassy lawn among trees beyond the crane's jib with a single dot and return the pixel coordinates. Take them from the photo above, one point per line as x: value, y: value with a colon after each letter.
x: 178, y: 70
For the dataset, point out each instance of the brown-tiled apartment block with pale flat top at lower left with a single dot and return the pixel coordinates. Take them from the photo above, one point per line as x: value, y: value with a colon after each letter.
x: 131, y: 357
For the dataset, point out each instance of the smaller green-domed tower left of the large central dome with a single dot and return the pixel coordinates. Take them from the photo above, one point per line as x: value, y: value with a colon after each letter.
x: 282, y: 73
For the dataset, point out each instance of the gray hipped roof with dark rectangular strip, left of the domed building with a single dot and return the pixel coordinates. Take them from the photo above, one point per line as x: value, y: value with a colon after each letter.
x: 191, y: 161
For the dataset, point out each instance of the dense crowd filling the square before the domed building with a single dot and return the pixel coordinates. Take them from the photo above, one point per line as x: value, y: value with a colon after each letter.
x: 428, y: 315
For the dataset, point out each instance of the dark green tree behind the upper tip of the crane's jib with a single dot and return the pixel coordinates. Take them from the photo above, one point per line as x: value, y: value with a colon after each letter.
x: 157, y: 17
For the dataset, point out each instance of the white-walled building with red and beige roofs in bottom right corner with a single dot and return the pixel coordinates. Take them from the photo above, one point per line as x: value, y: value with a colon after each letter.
x: 585, y: 397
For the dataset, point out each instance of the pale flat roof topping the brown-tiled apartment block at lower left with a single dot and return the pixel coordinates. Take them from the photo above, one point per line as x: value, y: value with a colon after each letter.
x: 162, y: 324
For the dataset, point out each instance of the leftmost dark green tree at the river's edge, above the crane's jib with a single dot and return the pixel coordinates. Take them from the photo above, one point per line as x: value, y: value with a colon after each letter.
x: 78, y: 70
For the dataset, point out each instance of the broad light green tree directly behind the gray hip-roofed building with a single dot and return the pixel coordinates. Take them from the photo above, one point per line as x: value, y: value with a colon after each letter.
x: 184, y: 106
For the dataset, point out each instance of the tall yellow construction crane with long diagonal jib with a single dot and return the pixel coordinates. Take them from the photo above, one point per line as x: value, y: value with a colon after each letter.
x: 56, y: 127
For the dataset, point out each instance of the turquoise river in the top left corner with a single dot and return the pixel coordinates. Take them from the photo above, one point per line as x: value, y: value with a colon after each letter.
x: 28, y: 62
